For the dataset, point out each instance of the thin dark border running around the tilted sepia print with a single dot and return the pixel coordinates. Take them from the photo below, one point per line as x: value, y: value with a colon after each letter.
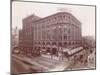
x: 11, y: 1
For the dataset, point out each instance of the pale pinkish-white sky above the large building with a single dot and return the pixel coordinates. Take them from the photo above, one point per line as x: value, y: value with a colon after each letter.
x: 85, y: 14
